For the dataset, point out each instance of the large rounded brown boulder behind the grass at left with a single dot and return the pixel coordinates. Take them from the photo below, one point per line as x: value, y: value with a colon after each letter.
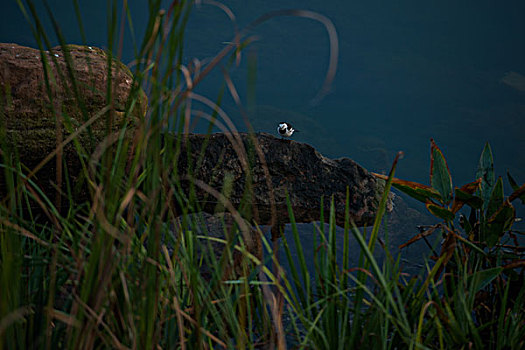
x: 26, y: 114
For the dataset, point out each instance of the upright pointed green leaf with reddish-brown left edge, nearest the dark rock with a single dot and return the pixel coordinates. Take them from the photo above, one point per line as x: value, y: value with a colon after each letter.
x: 439, y: 173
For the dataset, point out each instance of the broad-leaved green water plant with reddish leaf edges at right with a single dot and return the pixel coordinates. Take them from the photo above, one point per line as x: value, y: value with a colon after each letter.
x: 481, y: 263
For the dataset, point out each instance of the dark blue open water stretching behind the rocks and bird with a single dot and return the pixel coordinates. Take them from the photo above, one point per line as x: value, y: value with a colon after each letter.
x: 407, y: 71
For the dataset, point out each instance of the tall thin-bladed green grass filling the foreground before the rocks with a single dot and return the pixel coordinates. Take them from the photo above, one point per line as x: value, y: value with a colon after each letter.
x: 131, y: 267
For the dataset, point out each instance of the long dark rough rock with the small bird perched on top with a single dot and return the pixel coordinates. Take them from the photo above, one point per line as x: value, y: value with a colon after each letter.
x: 293, y: 167
